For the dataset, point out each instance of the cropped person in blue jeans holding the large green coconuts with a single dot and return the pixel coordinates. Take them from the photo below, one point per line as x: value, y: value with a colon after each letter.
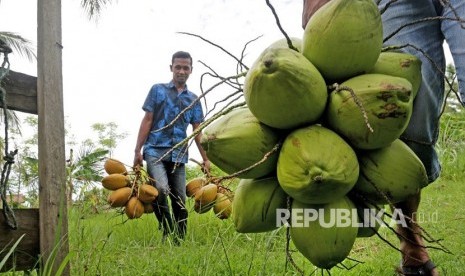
x: 404, y: 24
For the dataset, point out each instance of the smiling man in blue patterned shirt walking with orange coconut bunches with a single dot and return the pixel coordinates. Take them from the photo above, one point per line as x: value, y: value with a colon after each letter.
x: 169, y: 109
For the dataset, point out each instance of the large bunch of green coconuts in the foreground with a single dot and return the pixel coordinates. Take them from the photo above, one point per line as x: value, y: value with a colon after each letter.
x: 321, y: 132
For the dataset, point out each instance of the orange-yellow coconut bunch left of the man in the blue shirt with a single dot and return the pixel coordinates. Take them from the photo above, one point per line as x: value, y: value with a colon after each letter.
x: 130, y: 189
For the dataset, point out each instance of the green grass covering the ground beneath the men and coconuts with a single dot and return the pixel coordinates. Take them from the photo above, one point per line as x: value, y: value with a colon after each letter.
x: 107, y: 244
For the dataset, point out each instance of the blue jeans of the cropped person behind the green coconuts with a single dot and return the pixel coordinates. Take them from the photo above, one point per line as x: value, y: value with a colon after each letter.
x: 422, y: 133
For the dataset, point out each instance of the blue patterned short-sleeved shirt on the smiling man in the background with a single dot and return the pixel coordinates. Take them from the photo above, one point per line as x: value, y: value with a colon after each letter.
x: 166, y: 103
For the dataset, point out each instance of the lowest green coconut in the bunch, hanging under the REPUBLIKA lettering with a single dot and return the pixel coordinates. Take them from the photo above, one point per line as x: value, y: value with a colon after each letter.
x: 326, y: 239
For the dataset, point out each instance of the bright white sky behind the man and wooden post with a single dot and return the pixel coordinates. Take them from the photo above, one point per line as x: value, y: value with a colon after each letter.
x: 109, y: 65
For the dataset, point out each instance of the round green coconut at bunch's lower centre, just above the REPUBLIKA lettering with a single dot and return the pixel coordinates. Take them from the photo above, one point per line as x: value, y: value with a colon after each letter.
x: 316, y: 165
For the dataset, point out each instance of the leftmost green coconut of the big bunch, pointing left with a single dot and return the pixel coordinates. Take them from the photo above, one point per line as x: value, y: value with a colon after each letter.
x: 237, y: 141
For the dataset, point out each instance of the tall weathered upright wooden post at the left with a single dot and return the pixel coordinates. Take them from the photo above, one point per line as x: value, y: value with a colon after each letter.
x: 52, y: 167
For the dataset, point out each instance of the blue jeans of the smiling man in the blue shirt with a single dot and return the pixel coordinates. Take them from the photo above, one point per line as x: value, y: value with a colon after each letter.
x: 170, y: 181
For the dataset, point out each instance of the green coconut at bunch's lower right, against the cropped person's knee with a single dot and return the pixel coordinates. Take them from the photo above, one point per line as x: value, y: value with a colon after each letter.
x: 391, y: 174
